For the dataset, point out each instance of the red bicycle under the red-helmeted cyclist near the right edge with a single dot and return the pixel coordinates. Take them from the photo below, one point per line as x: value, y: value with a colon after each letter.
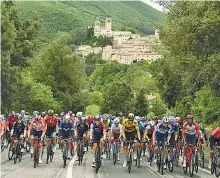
x: 190, y: 159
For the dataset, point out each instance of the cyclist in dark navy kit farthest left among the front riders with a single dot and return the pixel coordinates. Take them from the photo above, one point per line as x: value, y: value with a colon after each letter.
x: 19, y: 130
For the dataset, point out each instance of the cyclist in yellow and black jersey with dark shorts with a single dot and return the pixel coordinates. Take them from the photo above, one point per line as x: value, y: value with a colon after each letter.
x: 129, y: 130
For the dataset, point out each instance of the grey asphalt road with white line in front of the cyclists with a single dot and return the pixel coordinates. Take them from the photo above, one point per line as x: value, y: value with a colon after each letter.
x: 25, y: 169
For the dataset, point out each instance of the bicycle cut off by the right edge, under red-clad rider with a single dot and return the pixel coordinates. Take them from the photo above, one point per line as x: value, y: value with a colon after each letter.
x: 215, y: 162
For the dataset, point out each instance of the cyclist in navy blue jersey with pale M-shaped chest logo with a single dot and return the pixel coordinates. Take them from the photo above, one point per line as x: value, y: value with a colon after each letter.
x: 66, y: 128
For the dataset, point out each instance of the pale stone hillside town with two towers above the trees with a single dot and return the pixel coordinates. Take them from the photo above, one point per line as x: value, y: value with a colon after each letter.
x: 126, y: 48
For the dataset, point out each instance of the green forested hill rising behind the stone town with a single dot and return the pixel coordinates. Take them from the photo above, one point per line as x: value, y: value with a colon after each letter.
x: 67, y: 16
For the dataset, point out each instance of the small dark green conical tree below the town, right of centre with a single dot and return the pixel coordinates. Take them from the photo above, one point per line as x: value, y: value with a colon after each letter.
x: 141, y: 106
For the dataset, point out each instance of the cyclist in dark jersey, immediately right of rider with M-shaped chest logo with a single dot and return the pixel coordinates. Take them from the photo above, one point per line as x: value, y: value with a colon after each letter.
x: 81, y: 133
